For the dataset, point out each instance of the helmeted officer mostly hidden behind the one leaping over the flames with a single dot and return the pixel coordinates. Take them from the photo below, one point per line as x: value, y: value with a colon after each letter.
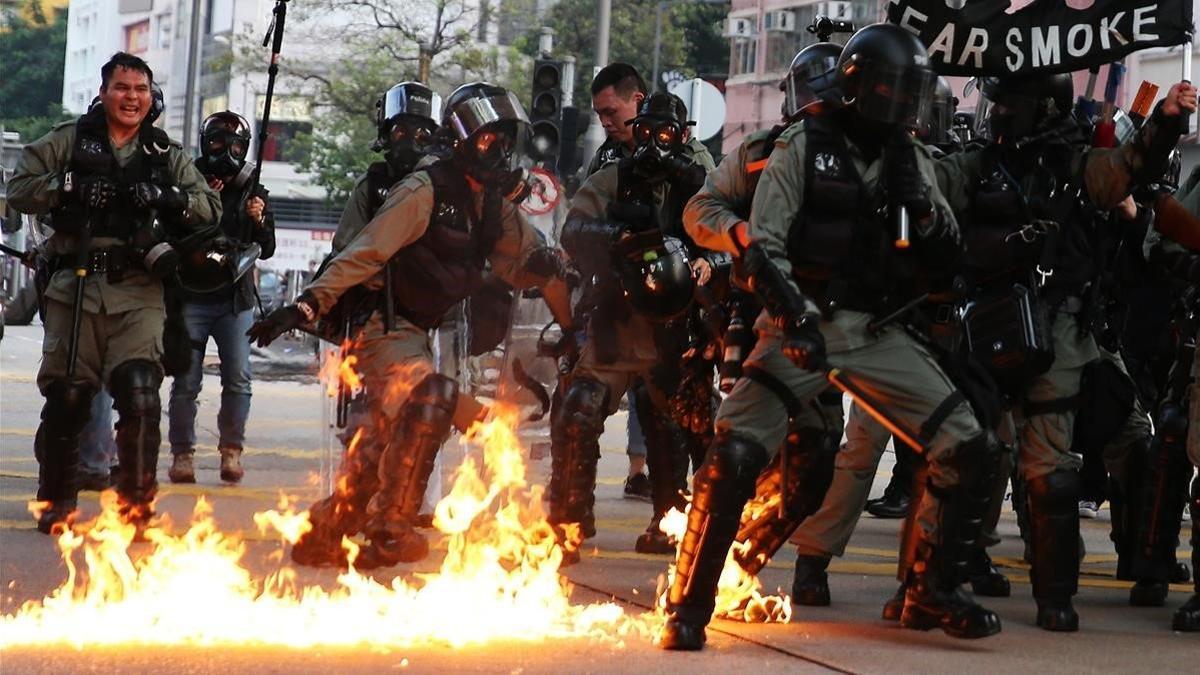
x: 407, y: 123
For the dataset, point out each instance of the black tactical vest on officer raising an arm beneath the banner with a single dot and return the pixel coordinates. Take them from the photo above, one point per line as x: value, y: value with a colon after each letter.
x: 1001, y: 247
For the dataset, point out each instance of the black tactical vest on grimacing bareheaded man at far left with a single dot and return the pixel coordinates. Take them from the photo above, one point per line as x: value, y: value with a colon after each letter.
x: 93, y: 157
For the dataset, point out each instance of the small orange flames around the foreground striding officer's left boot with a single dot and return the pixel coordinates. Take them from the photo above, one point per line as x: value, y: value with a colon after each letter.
x: 739, y: 595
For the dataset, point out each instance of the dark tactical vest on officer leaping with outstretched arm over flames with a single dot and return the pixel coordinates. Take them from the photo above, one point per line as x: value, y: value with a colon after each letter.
x: 446, y: 265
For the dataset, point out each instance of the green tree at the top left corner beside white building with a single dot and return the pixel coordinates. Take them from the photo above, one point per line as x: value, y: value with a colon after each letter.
x: 33, y: 49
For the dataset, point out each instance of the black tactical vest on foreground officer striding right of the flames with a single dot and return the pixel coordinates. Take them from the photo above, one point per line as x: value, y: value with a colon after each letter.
x: 839, y: 248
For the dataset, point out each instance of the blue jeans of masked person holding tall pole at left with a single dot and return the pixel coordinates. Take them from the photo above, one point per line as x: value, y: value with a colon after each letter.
x: 229, y: 330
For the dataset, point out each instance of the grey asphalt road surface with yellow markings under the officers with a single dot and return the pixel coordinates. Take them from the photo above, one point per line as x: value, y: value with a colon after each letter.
x: 285, y: 444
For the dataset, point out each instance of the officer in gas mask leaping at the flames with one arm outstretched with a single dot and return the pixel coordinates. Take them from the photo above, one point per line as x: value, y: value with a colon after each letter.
x: 439, y: 228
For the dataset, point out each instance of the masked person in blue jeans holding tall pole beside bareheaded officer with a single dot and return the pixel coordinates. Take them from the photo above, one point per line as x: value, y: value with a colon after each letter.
x: 224, y: 313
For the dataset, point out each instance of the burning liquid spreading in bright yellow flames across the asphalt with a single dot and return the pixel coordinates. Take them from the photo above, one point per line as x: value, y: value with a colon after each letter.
x: 500, y: 581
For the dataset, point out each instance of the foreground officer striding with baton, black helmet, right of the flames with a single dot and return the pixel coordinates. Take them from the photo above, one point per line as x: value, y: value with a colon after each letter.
x: 817, y: 226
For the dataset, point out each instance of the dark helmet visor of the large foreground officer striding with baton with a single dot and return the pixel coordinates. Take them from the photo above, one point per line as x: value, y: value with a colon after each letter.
x: 897, y: 95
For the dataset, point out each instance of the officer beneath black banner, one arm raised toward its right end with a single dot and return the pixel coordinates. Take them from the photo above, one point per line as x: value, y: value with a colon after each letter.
x: 1031, y: 200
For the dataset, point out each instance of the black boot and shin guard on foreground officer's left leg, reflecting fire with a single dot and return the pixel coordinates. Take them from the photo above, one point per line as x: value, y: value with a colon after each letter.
x: 721, y: 491
